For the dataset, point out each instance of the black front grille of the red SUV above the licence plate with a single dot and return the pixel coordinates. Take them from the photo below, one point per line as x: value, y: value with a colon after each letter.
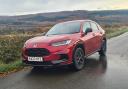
x: 37, y: 52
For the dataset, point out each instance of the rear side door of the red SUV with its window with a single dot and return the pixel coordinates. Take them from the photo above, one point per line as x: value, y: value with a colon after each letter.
x: 96, y: 36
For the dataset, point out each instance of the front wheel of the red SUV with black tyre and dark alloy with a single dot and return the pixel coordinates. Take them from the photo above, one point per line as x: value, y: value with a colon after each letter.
x: 78, y: 59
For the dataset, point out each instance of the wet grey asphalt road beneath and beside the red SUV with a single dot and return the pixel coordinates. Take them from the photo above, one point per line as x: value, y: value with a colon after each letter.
x: 109, y: 72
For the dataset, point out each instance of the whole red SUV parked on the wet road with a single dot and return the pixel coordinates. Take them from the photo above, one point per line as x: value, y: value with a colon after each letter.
x: 67, y: 43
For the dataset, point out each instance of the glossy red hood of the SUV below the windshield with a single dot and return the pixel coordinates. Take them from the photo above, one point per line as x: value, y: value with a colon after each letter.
x: 45, y: 40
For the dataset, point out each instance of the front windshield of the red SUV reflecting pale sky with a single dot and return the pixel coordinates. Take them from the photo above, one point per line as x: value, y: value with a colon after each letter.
x: 65, y: 28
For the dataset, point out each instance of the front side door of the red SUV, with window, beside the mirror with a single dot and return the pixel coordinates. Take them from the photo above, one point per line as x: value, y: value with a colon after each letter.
x: 88, y: 39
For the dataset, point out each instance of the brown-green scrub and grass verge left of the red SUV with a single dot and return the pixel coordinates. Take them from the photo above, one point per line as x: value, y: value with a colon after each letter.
x: 10, y: 52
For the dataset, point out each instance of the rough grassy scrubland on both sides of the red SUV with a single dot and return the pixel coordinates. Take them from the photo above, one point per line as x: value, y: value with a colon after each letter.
x: 10, y: 46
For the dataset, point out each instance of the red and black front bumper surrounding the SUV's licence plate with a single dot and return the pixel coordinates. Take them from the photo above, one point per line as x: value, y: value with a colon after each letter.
x: 57, y: 58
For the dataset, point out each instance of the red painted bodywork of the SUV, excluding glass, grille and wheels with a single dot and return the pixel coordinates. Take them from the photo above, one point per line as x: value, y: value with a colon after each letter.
x: 91, y: 42
